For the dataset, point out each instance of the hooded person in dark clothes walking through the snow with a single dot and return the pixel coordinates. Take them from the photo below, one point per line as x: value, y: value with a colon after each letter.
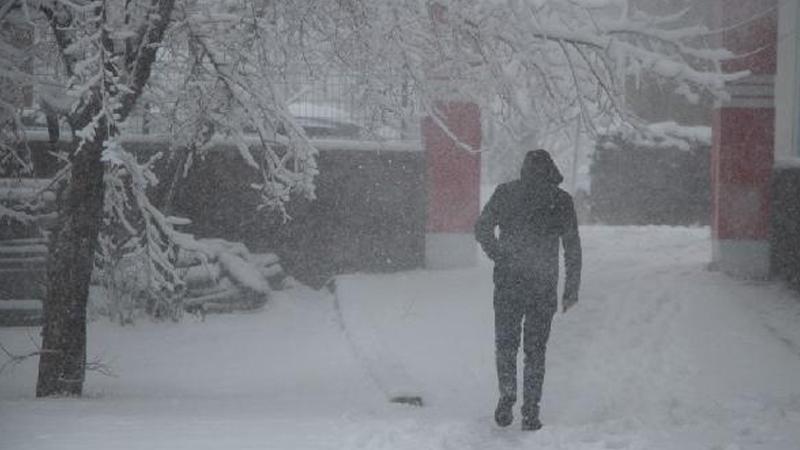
x: 532, y: 215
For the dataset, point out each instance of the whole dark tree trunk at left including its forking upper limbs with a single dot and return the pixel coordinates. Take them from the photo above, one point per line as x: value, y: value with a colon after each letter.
x: 62, y: 364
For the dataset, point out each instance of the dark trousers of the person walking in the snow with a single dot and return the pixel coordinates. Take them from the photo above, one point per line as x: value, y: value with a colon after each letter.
x: 522, y: 306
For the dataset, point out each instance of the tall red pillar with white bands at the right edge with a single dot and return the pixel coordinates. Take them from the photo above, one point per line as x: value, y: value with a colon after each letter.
x: 743, y: 140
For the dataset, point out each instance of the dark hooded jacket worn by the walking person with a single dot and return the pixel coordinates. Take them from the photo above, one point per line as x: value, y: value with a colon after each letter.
x: 531, y: 215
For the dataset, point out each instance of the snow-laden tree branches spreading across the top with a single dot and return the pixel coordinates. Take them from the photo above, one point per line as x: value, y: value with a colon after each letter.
x: 213, y: 70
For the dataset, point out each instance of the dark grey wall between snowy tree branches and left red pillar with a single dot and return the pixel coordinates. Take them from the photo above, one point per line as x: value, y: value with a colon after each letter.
x: 369, y: 214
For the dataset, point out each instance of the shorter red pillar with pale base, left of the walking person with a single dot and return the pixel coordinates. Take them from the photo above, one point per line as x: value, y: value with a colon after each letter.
x: 453, y: 185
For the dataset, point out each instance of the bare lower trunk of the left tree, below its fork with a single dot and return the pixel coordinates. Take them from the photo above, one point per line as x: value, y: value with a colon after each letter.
x: 62, y: 365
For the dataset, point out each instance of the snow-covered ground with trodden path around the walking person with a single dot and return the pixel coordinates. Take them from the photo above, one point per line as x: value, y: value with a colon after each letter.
x: 658, y: 354
